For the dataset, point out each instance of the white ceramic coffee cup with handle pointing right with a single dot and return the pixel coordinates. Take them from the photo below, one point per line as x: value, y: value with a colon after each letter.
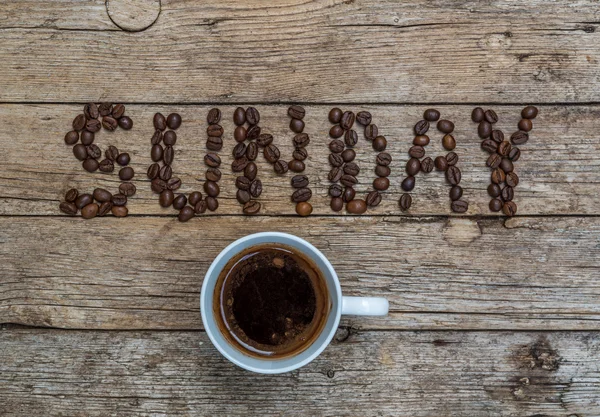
x: 361, y: 306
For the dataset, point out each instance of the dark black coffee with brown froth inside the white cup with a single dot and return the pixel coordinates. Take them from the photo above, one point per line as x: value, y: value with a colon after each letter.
x: 271, y: 301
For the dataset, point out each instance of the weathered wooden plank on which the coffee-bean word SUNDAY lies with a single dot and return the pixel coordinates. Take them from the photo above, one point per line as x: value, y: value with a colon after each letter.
x: 559, y: 168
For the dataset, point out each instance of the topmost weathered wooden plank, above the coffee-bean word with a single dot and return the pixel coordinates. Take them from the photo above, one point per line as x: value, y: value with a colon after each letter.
x: 322, y: 51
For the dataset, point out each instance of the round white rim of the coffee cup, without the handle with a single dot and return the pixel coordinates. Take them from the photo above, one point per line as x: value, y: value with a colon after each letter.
x: 229, y: 251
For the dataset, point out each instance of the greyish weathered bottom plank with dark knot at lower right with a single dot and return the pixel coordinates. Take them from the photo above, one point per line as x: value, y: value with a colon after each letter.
x: 366, y: 373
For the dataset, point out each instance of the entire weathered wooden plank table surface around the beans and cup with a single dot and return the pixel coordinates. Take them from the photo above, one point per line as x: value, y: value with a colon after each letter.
x: 489, y: 316
